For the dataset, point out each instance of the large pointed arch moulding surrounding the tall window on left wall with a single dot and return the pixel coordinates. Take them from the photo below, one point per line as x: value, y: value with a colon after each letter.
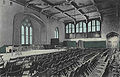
x: 33, y: 16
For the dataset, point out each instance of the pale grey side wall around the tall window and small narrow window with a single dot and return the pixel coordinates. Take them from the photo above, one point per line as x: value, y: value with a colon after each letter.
x: 7, y: 14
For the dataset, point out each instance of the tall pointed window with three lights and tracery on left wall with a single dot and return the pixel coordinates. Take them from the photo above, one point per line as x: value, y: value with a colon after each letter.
x: 26, y: 32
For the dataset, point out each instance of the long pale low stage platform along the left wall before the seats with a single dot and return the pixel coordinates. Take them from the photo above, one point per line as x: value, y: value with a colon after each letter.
x: 7, y: 56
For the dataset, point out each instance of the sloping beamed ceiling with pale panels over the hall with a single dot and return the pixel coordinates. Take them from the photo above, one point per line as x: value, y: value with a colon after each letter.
x: 72, y: 10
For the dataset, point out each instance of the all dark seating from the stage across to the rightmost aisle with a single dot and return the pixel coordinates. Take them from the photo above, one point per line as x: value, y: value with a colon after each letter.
x: 72, y: 62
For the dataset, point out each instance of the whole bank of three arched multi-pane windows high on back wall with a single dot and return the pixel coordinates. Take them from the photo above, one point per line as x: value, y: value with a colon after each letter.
x: 83, y: 29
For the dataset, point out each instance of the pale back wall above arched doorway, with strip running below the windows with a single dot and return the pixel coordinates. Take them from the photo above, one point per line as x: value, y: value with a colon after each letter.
x: 110, y: 23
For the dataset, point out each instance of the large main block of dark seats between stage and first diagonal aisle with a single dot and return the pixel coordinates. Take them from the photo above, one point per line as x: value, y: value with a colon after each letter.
x: 44, y: 65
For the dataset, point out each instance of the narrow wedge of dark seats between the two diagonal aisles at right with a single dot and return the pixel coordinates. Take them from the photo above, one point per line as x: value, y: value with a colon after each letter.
x: 86, y: 69
